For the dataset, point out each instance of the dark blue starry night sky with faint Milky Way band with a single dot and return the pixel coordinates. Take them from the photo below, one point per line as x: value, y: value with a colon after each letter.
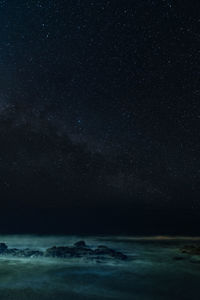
x: 99, y: 116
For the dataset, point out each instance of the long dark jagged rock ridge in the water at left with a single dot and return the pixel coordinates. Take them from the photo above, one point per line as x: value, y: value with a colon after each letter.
x: 79, y: 249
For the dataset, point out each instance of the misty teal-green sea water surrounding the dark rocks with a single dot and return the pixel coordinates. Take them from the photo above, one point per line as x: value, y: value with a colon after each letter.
x: 150, y: 273
